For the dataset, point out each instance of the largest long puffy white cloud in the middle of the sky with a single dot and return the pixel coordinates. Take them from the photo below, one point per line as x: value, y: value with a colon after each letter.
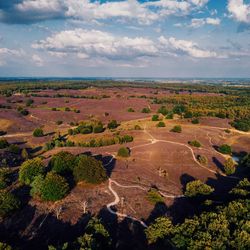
x: 94, y: 43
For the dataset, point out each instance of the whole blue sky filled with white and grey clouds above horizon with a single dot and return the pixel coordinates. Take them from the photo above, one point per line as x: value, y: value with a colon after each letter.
x: 153, y: 38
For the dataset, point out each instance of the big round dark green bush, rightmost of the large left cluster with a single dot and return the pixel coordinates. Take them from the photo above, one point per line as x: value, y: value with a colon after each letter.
x: 90, y: 170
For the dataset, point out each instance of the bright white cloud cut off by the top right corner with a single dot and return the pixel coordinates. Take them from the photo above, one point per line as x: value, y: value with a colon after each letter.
x: 239, y: 10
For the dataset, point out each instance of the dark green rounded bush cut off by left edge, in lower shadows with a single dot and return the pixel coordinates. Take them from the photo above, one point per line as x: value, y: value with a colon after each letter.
x: 8, y: 203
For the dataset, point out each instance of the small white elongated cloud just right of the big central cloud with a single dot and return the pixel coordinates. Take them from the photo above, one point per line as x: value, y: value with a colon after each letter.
x: 187, y: 47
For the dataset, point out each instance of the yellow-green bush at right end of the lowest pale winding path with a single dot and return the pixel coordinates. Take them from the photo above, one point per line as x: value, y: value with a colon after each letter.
x: 196, y: 188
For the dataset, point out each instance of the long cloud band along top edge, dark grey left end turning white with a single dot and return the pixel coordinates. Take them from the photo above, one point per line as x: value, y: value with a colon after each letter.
x: 25, y: 11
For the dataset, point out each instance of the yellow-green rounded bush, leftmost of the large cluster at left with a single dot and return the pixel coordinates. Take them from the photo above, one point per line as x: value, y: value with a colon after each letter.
x: 29, y: 169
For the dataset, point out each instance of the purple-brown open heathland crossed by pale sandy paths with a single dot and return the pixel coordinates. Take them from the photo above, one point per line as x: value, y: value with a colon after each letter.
x: 159, y: 158
